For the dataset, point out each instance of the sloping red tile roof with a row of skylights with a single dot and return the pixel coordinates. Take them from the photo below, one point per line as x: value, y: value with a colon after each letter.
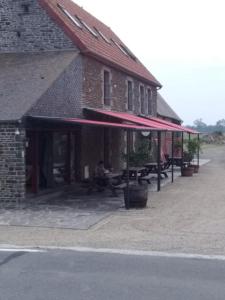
x: 92, y: 46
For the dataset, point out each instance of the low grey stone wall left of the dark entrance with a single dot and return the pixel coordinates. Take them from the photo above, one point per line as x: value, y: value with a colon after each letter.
x: 12, y: 163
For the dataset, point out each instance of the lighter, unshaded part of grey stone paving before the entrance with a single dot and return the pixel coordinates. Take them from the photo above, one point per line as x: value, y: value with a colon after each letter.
x: 67, y: 212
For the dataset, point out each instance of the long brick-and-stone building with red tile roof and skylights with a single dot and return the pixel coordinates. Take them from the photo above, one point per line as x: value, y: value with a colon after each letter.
x: 58, y: 63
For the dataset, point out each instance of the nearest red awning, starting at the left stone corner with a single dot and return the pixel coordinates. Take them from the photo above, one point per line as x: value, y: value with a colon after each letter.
x: 92, y: 123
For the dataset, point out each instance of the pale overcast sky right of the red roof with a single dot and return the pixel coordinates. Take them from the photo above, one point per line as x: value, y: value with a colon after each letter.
x: 181, y: 42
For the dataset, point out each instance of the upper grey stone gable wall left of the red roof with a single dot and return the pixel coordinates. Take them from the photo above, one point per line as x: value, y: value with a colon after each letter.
x: 29, y: 28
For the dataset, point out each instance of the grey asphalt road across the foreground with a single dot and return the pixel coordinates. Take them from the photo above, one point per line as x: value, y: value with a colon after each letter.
x: 62, y: 275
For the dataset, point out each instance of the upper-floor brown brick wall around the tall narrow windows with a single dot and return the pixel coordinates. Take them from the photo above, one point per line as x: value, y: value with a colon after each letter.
x: 93, y: 88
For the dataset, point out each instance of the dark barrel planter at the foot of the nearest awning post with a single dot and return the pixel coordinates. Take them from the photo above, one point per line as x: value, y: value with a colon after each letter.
x: 138, y: 196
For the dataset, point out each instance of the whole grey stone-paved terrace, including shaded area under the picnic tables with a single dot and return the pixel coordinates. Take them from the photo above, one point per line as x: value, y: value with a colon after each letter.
x: 72, y: 210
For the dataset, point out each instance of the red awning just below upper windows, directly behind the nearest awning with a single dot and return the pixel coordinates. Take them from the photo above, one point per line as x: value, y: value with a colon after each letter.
x: 134, y: 119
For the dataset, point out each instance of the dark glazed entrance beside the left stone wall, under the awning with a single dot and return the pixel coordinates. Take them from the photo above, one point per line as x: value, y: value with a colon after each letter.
x: 51, y: 159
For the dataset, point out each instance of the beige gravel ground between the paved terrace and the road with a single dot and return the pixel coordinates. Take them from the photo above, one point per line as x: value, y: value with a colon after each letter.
x: 187, y: 216
